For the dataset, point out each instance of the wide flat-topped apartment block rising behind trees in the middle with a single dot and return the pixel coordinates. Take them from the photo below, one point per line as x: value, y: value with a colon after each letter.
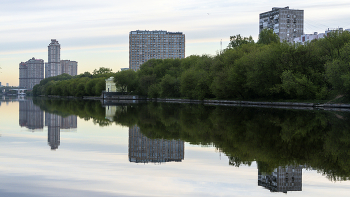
x: 146, y: 45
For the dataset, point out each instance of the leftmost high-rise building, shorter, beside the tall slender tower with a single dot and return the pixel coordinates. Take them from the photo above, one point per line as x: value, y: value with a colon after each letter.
x: 31, y: 73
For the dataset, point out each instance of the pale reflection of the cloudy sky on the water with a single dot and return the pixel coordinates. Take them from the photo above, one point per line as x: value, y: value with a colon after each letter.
x: 93, y: 161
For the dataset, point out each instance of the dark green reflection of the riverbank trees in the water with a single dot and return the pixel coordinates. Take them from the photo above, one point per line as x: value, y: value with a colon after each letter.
x: 272, y: 137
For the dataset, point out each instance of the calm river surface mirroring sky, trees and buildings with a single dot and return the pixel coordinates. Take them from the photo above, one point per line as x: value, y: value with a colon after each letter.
x: 82, y: 148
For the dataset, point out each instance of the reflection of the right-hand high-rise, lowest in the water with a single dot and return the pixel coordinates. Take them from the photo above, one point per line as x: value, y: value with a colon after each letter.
x: 282, y: 179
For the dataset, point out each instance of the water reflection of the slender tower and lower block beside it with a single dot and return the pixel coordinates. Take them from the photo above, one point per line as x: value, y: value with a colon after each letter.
x: 54, y: 125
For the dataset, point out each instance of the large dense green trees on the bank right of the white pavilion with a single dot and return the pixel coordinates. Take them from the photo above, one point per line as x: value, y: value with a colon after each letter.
x: 267, y: 69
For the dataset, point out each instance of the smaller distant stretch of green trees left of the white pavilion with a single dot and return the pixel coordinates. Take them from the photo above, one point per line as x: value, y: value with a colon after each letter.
x: 86, y: 84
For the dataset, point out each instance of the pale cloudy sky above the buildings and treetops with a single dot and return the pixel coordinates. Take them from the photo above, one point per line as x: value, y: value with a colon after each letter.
x: 95, y: 33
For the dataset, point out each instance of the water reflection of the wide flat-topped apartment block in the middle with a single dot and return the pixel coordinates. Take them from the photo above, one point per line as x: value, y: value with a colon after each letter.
x: 144, y: 150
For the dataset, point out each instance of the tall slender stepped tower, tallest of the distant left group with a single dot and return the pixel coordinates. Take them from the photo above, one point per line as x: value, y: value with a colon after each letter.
x: 53, y: 67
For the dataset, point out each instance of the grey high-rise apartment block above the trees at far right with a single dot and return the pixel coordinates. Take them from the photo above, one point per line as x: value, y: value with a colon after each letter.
x: 286, y: 23
